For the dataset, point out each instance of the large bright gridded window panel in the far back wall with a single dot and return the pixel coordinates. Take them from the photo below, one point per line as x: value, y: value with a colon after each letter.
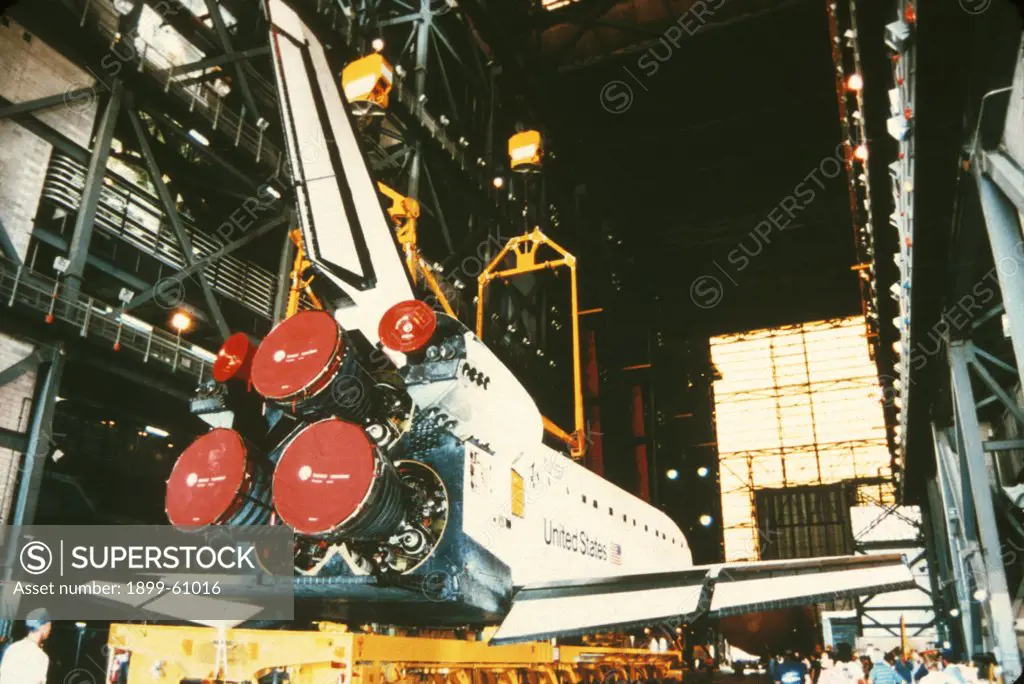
x: 798, y: 406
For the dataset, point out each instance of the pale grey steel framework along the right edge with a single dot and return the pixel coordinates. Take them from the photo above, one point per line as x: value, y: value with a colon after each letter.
x: 971, y: 471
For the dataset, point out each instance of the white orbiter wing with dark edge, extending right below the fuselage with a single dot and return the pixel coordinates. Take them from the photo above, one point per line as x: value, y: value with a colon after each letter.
x: 564, y: 610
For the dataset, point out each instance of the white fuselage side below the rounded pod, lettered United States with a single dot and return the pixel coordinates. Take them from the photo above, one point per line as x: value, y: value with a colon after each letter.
x: 564, y: 523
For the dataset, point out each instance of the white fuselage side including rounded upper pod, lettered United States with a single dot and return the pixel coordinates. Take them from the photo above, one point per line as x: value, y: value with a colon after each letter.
x: 541, y: 514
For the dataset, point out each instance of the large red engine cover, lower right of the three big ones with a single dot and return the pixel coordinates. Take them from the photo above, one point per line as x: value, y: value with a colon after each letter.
x: 324, y: 477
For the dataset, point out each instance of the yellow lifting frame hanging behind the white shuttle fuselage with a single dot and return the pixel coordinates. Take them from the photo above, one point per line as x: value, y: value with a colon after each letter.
x: 525, y: 248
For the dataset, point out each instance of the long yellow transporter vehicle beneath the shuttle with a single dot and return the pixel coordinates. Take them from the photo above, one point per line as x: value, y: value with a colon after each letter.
x: 335, y: 656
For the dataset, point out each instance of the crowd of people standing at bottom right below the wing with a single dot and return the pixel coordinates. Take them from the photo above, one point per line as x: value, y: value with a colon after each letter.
x: 844, y: 666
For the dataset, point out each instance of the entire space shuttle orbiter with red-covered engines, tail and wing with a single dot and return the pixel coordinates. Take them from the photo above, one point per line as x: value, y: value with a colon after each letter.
x: 411, y: 463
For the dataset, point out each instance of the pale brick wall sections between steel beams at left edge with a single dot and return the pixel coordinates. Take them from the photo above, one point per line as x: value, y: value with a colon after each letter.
x: 29, y: 70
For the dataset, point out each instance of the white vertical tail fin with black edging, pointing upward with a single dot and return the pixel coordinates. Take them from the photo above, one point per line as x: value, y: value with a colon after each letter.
x: 346, y: 232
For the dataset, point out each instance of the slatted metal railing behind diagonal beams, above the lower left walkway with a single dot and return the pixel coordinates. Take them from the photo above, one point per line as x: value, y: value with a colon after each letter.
x: 138, y: 219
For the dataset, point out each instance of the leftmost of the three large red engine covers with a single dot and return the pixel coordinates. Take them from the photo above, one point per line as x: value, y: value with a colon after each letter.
x: 207, y: 480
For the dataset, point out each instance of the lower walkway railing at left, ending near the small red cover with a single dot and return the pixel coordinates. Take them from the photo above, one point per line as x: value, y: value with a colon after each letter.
x: 24, y: 289
